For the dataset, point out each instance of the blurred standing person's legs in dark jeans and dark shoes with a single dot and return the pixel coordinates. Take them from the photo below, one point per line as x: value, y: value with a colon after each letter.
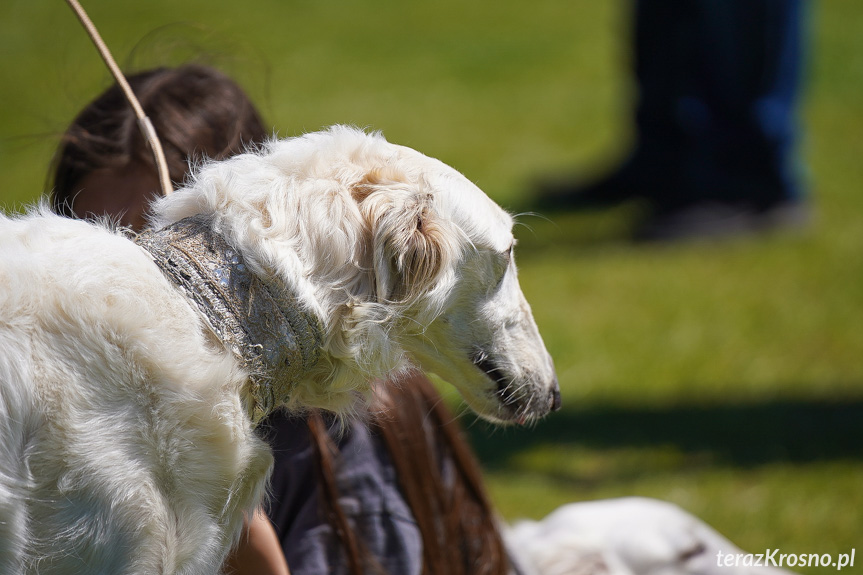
x: 716, y: 127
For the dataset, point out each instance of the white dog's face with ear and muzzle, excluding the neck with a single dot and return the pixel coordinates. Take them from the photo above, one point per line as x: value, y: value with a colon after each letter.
x: 443, y: 252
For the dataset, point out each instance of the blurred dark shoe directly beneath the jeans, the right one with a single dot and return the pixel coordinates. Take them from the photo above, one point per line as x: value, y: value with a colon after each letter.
x: 719, y: 220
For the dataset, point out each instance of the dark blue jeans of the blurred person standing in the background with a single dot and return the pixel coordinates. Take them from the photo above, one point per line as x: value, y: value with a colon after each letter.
x: 718, y: 89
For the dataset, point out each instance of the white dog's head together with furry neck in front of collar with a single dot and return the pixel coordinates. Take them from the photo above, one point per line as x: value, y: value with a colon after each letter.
x: 404, y: 260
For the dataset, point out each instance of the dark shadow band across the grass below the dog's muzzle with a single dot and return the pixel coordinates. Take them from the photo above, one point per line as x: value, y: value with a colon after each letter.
x: 786, y: 431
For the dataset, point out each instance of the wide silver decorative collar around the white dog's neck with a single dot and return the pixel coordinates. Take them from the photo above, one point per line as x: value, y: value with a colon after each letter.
x: 257, y: 320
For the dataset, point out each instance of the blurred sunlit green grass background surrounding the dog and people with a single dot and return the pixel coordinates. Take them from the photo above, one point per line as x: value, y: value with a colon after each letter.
x: 725, y: 377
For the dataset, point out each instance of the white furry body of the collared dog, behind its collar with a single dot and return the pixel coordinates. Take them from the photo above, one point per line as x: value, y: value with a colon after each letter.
x: 121, y: 432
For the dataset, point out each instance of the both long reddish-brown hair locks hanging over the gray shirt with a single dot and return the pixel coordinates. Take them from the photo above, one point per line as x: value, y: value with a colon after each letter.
x: 439, y: 478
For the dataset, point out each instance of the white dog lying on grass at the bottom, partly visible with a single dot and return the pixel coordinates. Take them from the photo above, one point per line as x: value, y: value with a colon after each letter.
x: 629, y: 536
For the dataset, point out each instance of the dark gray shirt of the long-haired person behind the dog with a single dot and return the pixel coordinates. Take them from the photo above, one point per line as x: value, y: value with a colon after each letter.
x: 368, y: 494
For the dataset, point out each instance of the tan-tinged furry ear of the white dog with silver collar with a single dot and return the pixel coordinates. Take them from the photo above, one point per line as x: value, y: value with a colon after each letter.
x: 410, y: 243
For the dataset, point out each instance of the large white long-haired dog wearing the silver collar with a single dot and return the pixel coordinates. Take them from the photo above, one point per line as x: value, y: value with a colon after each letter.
x: 132, y: 373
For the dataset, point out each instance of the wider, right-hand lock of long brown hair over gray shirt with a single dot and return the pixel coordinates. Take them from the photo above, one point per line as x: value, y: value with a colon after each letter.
x: 442, y: 482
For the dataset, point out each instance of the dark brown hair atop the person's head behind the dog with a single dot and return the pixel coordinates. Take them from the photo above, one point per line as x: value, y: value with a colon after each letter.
x: 197, y: 112
